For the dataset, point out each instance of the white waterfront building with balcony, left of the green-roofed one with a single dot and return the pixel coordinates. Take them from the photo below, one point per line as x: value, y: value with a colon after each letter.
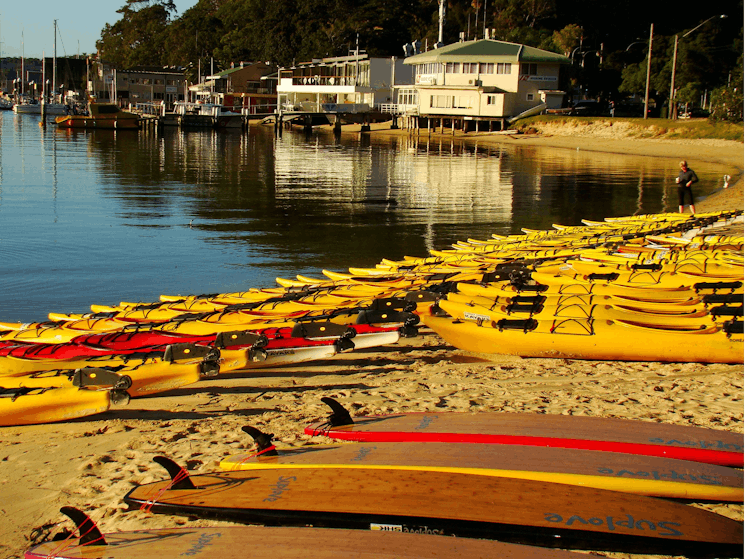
x: 350, y: 84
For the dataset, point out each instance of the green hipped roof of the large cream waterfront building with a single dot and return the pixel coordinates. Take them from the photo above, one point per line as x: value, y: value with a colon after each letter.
x: 487, y: 50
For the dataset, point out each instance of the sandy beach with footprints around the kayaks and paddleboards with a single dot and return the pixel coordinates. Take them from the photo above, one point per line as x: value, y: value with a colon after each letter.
x: 93, y: 462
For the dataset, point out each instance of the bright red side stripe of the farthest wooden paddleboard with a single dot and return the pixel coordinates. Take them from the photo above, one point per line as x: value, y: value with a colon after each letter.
x: 718, y: 457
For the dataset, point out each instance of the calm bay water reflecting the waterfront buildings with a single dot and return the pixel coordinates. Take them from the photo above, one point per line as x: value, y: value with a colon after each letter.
x: 101, y: 217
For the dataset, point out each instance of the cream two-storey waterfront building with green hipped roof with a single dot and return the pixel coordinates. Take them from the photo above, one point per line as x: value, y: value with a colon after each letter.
x: 484, y: 80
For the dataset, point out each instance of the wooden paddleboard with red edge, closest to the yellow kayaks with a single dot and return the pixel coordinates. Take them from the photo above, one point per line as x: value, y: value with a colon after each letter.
x: 697, y: 444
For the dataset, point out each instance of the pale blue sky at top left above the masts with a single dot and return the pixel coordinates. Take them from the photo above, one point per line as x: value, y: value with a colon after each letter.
x: 28, y: 28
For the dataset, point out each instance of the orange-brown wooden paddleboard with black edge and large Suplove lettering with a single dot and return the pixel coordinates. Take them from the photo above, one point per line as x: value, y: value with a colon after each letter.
x: 446, y: 503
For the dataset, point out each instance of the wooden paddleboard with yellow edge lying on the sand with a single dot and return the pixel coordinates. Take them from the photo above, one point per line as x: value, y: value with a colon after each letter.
x: 642, y: 475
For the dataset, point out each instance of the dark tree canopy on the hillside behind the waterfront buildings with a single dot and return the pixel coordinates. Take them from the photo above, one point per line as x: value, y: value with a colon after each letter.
x: 607, y: 41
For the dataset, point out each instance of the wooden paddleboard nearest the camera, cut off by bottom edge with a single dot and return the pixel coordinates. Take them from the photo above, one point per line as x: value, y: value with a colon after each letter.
x: 239, y: 542
